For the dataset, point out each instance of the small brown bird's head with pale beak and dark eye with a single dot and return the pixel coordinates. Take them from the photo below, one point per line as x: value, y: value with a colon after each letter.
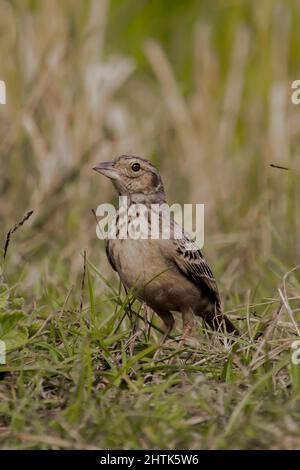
x: 134, y: 177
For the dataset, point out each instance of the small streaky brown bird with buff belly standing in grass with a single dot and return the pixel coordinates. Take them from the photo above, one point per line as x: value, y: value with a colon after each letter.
x: 168, y: 275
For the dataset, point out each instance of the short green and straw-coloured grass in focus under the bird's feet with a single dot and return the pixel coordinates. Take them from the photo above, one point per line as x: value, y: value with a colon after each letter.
x: 79, y: 375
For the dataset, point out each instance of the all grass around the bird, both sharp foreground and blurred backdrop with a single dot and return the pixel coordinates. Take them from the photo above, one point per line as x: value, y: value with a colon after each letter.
x: 205, y: 93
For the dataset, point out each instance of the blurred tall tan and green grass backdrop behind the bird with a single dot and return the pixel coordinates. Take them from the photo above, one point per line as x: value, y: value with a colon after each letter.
x: 201, y: 88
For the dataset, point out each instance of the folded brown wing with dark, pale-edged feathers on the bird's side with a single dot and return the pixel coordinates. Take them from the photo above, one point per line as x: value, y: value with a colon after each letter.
x: 189, y: 260
